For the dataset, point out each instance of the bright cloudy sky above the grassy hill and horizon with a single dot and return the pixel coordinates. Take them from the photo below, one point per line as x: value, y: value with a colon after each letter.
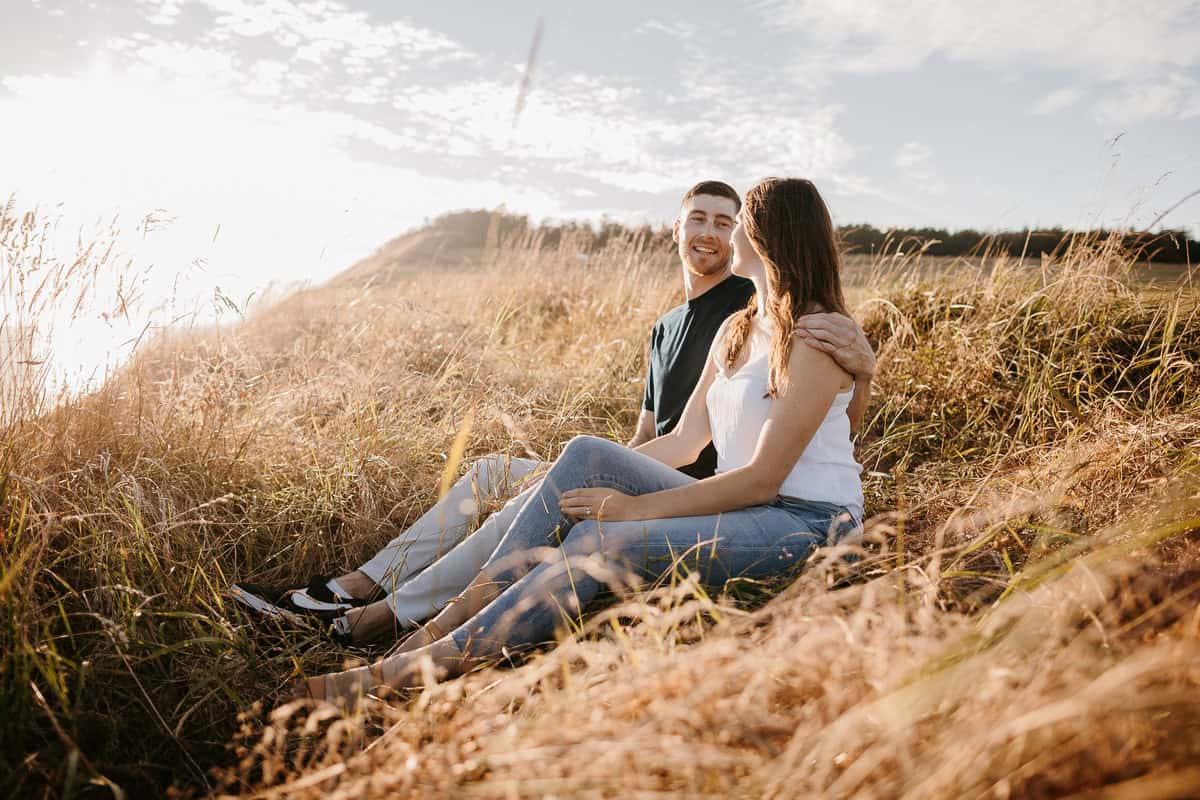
x: 280, y: 141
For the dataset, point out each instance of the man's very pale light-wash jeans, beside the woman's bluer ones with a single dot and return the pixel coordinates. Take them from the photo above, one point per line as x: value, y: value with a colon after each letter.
x: 433, y: 562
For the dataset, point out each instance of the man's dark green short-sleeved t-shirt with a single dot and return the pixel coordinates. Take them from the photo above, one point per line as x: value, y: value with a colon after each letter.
x: 680, y: 345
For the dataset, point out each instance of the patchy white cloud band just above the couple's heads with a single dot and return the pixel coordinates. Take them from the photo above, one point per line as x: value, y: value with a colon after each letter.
x: 583, y: 127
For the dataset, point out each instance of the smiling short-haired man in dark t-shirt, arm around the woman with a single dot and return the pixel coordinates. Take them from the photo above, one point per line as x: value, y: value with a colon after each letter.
x: 416, y: 574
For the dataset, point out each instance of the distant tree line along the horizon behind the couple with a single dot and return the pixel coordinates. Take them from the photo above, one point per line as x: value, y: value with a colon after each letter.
x: 1163, y: 248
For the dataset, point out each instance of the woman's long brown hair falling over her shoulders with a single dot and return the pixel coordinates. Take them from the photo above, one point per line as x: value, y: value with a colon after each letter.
x: 790, y: 228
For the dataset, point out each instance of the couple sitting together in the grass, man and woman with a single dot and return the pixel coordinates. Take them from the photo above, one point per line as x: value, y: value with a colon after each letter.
x: 741, y: 467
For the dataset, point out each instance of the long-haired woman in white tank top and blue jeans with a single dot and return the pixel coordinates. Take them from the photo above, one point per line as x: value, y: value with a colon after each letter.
x: 787, y: 479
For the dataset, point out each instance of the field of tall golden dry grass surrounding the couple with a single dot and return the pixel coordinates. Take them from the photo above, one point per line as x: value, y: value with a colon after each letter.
x: 1024, y: 624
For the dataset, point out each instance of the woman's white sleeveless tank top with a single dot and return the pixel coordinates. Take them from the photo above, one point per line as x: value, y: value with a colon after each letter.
x: 737, y: 411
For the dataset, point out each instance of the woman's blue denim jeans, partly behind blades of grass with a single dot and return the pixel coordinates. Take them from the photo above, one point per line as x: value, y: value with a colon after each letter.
x: 549, y: 566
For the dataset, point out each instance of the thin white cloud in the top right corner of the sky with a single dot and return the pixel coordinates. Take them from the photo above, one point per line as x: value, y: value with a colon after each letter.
x: 1139, y: 59
